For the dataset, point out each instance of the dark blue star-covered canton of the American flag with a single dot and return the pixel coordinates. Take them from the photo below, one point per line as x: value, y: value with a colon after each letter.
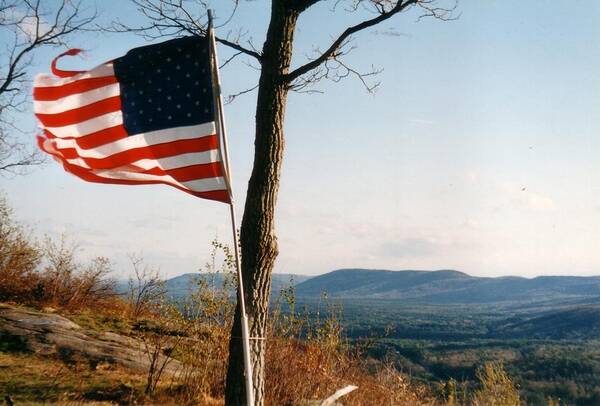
x: 166, y: 85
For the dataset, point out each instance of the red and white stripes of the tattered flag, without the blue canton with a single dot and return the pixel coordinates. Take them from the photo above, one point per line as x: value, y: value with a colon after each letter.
x: 82, y: 128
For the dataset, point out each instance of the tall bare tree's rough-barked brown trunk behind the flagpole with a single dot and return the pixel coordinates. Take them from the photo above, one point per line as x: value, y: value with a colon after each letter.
x: 257, y: 237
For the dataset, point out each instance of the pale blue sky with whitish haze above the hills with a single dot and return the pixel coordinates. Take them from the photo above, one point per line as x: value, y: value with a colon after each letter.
x: 479, y: 152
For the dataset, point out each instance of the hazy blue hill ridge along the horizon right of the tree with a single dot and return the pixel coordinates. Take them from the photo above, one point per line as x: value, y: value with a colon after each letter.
x: 447, y: 287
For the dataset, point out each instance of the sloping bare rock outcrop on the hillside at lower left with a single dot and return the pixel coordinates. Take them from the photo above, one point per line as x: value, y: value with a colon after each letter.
x: 51, y: 334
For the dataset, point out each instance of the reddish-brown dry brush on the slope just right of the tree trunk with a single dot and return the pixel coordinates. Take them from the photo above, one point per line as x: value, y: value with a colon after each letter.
x: 304, y: 371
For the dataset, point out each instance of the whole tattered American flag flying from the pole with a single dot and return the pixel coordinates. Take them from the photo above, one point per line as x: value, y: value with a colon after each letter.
x: 144, y: 118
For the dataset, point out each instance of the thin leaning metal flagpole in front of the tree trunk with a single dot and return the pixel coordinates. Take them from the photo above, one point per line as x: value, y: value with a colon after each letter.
x: 220, y: 125
